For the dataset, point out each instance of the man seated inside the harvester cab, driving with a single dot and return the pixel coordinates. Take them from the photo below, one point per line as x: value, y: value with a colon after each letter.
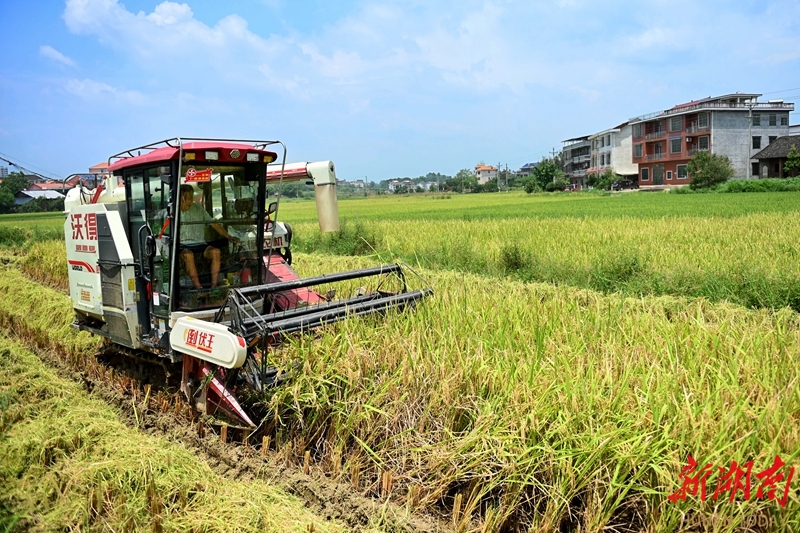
x: 193, y: 222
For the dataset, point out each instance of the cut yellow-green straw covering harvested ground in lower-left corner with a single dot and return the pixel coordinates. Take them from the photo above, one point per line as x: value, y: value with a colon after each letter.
x: 67, y: 463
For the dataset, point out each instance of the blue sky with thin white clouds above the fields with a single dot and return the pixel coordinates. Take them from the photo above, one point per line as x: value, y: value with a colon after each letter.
x: 385, y: 89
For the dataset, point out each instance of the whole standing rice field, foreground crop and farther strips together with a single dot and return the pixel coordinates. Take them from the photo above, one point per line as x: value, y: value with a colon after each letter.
x: 509, y: 404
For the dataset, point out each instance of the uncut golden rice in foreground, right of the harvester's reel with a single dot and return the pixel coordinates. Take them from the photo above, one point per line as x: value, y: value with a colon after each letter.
x: 510, y: 403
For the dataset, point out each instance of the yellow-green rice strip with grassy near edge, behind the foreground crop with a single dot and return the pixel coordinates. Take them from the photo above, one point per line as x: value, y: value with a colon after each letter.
x: 751, y: 260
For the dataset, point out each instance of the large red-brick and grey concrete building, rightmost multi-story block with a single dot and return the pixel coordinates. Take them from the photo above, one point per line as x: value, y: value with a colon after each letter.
x: 735, y: 125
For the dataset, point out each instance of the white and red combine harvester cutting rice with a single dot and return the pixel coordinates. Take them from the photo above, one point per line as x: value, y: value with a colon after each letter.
x: 176, y: 258
